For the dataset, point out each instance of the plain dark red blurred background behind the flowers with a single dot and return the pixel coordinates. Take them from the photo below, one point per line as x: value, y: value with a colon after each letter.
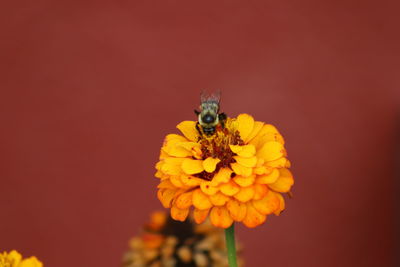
x: 89, y: 90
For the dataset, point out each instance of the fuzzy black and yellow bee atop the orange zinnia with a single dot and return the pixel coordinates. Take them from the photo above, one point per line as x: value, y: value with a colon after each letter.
x: 208, y: 116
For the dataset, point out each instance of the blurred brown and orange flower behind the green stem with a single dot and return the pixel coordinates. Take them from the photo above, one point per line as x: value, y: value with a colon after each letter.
x: 166, y: 242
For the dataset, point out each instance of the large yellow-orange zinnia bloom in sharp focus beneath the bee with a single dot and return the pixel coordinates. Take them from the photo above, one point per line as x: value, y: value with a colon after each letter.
x: 236, y: 174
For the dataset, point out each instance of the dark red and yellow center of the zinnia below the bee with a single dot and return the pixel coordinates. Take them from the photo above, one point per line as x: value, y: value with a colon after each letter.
x: 217, y: 146
